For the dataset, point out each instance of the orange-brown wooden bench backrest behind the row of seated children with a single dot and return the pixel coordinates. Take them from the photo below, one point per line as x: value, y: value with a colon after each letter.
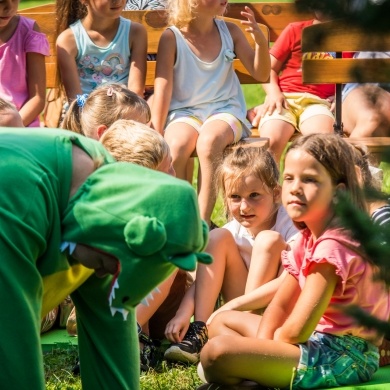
x: 272, y: 18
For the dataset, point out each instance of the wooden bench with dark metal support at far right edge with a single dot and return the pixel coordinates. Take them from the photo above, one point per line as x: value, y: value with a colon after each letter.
x: 337, y: 36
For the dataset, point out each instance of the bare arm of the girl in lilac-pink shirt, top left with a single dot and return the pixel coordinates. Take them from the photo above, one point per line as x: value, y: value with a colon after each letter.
x: 36, y: 82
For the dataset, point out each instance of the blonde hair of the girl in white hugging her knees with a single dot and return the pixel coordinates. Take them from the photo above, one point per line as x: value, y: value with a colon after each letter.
x: 246, y: 161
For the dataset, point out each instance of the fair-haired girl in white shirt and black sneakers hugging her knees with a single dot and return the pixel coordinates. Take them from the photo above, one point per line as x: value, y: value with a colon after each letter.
x: 250, y: 244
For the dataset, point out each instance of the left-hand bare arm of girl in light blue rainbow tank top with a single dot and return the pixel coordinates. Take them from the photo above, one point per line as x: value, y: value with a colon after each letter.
x: 66, y: 58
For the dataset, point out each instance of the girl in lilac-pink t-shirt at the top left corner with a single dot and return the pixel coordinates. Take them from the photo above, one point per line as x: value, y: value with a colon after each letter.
x: 22, y: 63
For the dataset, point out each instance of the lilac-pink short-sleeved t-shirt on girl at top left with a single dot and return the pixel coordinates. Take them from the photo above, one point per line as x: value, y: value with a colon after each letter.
x: 13, y: 72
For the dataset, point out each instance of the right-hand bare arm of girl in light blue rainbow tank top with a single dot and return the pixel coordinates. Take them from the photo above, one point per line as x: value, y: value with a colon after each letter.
x: 138, y: 43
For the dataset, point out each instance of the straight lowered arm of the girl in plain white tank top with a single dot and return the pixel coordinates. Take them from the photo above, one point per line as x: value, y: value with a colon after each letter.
x: 163, y: 84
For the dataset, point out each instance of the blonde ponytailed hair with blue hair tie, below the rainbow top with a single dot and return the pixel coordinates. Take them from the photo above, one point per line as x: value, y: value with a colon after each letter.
x: 105, y: 105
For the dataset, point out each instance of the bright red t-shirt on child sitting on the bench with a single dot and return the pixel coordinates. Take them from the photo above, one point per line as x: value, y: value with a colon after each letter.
x: 287, y: 49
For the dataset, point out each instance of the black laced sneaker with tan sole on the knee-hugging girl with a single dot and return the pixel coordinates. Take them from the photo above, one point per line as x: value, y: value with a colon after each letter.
x: 189, y: 349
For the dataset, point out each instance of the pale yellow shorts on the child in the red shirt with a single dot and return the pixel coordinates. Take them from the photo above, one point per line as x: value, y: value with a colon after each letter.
x: 302, y: 106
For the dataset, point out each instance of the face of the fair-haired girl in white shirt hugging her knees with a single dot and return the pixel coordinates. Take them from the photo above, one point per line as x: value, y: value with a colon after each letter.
x: 252, y: 204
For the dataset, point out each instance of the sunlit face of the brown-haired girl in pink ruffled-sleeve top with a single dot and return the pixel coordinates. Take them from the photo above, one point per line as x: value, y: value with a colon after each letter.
x: 307, y: 190
